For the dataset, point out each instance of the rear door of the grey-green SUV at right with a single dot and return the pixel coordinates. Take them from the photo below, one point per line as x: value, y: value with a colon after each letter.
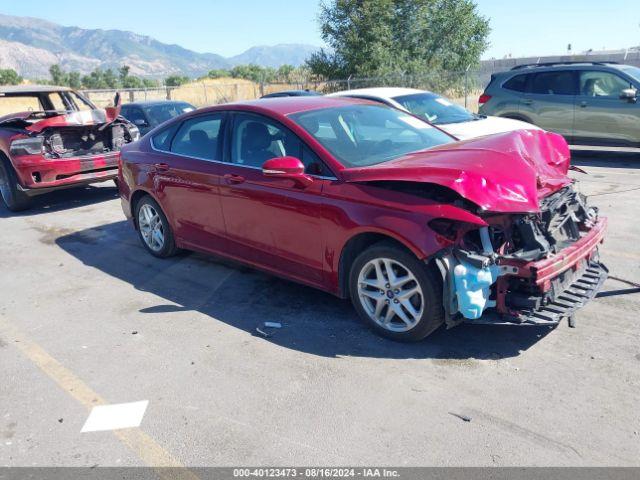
x: 550, y: 100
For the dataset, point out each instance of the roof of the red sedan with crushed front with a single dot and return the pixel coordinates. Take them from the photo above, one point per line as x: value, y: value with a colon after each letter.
x: 291, y: 105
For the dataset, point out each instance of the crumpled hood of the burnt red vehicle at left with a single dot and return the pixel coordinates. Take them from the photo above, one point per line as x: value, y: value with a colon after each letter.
x: 73, y: 119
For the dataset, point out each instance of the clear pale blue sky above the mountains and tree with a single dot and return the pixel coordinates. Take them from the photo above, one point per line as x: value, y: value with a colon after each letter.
x: 229, y: 27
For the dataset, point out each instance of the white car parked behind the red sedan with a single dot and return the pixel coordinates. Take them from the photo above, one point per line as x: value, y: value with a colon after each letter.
x: 448, y: 116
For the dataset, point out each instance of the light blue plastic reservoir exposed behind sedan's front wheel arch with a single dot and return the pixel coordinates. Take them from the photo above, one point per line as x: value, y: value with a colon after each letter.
x: 473, y: 287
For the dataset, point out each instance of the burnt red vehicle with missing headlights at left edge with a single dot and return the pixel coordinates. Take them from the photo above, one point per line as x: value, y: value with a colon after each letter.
x: 58, y: 139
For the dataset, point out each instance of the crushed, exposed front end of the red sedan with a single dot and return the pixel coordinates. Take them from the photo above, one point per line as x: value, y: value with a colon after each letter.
x: 533, y: 268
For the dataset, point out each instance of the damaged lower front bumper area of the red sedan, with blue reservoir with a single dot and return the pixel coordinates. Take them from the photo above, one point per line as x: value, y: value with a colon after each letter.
x: 490, y: 289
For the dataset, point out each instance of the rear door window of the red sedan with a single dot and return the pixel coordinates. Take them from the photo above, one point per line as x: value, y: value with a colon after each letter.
x: 198, y: 137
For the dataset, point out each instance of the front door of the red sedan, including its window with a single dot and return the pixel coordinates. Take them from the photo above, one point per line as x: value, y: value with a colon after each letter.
x: 271, y: 222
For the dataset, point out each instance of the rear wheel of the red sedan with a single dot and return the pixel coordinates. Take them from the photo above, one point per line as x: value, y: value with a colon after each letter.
x: 153, y: 229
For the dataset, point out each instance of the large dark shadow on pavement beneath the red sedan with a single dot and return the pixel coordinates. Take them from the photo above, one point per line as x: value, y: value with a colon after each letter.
x: 312, y: 321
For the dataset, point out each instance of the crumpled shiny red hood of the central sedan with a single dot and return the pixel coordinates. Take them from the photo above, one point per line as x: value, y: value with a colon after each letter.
x: 505, y: 173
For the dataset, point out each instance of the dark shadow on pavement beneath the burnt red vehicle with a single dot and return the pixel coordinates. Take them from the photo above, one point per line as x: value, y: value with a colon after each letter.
x: 64, y: 200
